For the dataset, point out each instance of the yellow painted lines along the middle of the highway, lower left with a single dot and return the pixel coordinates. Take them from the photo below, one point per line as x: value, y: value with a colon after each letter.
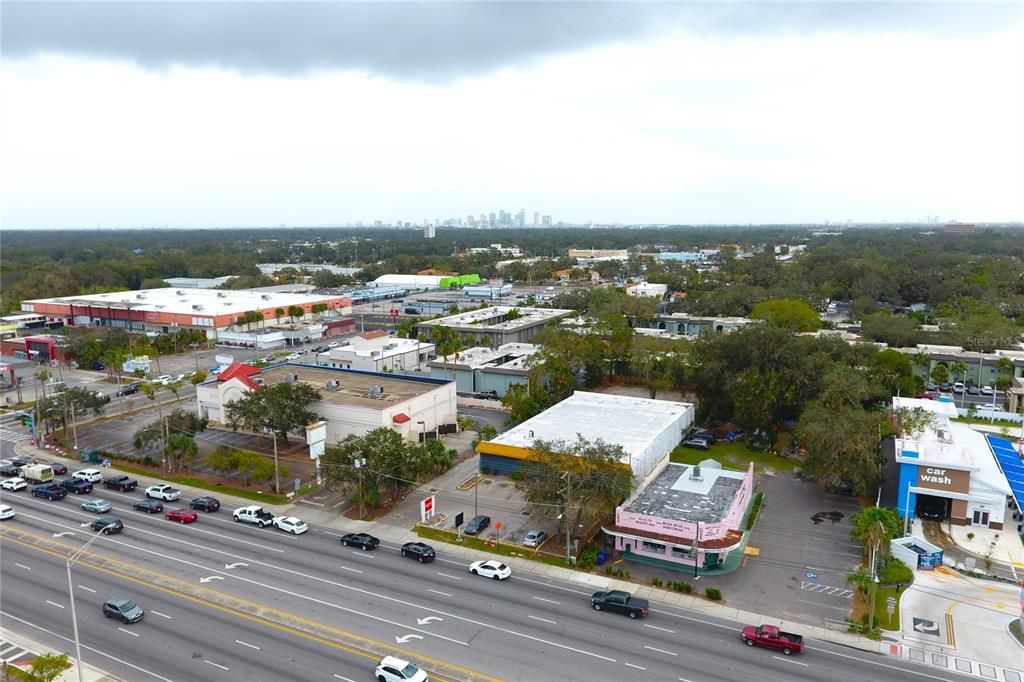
x: 254, y: 619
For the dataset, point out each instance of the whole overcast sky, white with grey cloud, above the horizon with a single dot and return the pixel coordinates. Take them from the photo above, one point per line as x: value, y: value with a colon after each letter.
x: 196, y: 114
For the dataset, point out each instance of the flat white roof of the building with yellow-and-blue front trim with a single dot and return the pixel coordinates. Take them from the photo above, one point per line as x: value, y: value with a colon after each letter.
x: 620, y: 420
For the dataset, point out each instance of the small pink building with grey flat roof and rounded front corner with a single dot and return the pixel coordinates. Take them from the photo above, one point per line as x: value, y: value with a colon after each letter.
x: 686, y: 516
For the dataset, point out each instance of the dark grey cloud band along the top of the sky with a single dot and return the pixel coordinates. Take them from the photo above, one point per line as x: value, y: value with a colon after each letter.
x: 433, y: 41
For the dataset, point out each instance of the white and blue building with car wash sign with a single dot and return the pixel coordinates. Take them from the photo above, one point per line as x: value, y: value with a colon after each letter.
x: 948, y: 472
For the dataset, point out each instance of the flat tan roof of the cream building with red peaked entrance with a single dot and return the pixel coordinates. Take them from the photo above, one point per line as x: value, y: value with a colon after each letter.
x: 355, y: 388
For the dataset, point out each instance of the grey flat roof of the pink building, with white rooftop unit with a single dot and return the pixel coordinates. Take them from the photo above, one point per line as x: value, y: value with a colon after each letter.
x: 676, y: 495
